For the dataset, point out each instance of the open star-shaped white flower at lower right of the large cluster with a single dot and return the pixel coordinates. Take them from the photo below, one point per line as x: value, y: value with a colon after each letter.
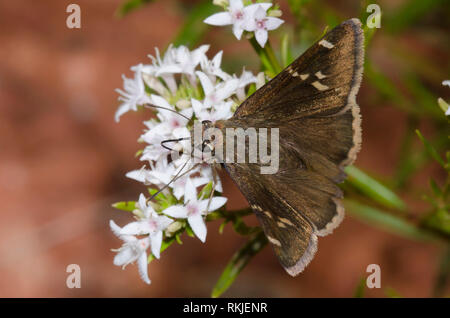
x: 193, y: 210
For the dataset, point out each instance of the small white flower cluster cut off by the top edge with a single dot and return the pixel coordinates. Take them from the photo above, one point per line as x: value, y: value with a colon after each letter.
x: 253, y: 17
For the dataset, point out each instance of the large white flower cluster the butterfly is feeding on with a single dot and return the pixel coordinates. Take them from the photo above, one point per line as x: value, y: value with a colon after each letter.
x: 180, y: 87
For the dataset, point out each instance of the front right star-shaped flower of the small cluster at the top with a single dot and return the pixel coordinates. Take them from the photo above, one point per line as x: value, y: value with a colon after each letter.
x: 260, y: 24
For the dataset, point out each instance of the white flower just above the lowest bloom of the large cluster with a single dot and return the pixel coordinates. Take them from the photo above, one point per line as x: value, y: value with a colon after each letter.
x: 152, y: 224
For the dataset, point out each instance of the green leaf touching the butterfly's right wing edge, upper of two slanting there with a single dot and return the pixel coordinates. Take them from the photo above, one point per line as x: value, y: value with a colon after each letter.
x: 373, y: 189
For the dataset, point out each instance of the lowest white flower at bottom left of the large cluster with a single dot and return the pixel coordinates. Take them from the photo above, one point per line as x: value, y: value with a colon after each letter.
x: 132, y: 250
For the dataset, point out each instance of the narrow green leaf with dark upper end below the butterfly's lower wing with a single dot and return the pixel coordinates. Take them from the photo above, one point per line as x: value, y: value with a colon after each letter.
x: 239, y: 260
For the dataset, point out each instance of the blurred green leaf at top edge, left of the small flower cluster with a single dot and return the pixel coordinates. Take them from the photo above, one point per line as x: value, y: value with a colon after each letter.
x: 194, y: 28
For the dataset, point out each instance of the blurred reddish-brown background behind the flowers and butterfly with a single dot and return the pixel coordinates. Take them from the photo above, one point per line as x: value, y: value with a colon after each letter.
x: 63, y: 161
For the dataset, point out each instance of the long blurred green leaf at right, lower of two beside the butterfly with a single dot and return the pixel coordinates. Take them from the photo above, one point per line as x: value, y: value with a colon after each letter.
x: 389, y: 222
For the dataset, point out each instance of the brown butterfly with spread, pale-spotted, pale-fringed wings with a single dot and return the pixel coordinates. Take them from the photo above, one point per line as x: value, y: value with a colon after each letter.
x: 313, y: 104
